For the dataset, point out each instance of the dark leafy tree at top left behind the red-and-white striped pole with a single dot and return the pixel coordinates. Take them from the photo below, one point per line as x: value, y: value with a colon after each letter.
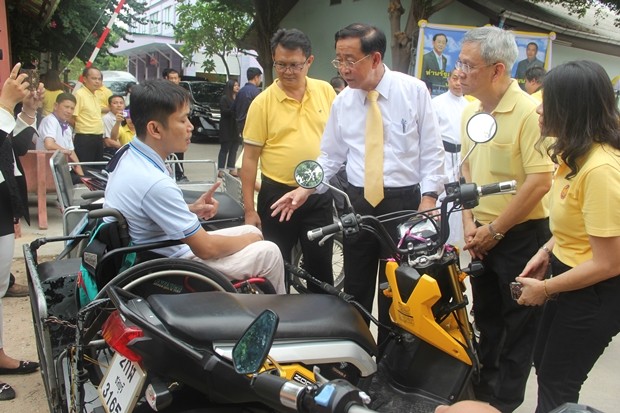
x: 73, y: 30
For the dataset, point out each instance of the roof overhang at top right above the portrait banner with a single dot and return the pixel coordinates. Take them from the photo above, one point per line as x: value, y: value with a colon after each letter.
x: 597, y: 34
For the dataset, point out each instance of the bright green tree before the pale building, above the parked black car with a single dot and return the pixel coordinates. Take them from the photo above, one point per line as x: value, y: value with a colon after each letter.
x: 211, y: 28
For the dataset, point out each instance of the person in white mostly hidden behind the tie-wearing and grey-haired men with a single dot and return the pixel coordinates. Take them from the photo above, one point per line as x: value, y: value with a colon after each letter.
x: 448, y: 109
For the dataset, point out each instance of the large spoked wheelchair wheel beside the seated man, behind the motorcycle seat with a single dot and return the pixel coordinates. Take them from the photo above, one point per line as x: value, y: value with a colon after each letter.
x: 159, y: 276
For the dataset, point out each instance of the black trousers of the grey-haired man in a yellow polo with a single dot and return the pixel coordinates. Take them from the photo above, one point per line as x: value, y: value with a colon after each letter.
x: 507, y: 329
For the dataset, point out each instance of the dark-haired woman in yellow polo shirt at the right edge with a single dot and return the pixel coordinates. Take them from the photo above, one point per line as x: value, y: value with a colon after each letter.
x: 582, y: 310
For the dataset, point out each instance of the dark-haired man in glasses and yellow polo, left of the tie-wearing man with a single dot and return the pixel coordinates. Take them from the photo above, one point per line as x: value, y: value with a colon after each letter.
x: 283, y: 127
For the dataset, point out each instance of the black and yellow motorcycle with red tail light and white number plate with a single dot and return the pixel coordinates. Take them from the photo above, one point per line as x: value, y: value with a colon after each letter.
x: 168, y: 349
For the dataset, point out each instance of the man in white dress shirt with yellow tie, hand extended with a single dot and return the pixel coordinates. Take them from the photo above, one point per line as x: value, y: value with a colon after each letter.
x: 413, y: 167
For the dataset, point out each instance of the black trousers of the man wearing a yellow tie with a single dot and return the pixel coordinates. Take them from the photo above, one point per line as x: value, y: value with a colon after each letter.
x: 363, y: 252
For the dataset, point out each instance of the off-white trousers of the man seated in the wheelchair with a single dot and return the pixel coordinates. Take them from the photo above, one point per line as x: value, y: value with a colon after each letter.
x: 259, y: 259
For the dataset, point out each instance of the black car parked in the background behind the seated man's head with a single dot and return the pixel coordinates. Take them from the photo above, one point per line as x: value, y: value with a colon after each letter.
x: 205, y: 113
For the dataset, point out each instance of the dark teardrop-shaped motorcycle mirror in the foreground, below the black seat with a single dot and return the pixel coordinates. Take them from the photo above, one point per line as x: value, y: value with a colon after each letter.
x: 250, y: 352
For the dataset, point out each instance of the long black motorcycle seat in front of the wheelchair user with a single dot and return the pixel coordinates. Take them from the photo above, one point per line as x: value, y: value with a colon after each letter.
x: 221, y: 316
